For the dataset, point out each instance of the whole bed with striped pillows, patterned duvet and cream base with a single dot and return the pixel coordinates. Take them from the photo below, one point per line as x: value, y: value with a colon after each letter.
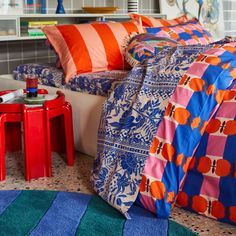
x: 159, y: 121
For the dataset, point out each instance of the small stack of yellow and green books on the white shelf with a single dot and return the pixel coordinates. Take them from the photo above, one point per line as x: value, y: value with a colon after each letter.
x: 35, y: 27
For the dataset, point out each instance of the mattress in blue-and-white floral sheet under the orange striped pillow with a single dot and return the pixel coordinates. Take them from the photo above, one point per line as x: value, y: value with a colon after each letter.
x: 100, y: 83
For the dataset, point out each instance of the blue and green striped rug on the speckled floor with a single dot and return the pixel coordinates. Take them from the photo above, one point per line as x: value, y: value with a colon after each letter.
x: 66, y: 213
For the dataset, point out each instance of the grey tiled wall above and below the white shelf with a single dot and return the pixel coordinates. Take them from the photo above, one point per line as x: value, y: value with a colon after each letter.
x: 17, y: 52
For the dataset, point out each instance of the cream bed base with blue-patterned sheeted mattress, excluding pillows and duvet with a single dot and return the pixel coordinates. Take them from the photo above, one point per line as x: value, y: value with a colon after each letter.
x: 86, y: 93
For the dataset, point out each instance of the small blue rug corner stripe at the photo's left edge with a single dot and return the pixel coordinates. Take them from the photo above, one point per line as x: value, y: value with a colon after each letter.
x: 6, y: 198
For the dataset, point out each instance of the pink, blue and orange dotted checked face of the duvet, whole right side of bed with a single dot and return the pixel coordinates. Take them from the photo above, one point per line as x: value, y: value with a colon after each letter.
x: 197, y: 96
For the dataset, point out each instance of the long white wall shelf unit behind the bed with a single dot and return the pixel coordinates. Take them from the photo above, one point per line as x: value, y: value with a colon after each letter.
x: 11, y: 26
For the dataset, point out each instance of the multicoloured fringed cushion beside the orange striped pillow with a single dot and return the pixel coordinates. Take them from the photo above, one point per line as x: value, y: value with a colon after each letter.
x: 144, y: 46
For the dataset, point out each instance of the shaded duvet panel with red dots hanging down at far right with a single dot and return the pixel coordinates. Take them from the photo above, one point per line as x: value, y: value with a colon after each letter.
x: 210, y: 186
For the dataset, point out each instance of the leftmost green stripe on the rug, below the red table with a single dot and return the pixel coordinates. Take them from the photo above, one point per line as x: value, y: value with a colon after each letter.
x: 25, y: 212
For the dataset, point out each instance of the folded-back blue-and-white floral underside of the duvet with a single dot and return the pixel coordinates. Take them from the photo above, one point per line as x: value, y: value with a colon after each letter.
x: 129, y: 121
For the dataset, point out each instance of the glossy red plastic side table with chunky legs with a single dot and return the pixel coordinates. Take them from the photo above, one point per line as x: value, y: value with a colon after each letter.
x: 46, y: 128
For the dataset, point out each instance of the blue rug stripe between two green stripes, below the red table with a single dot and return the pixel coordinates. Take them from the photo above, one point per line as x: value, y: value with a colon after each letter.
x: 64, y: 215
